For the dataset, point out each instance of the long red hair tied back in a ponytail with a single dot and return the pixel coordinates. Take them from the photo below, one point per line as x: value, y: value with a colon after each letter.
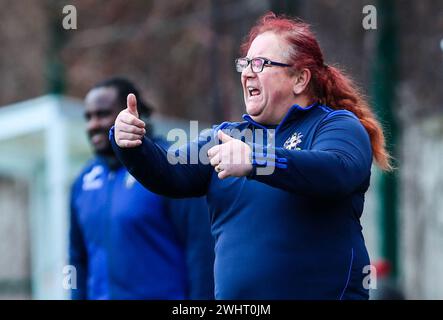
x: 329, y: 85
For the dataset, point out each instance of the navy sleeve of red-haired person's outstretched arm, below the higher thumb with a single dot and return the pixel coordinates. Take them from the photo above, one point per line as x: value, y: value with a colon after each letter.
x: 177, y: 174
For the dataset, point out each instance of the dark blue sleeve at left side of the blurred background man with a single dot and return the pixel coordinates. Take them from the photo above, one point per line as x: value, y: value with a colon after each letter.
x: 77, y: 253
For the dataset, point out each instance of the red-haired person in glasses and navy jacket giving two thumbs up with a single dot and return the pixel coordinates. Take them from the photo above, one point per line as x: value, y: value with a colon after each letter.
x: 286, y: 217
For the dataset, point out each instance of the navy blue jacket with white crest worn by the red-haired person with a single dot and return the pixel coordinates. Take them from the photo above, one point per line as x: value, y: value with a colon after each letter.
x: 292, y: 234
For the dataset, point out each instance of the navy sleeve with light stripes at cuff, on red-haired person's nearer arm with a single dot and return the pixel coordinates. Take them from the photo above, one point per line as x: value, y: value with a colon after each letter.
x: 338, y: 162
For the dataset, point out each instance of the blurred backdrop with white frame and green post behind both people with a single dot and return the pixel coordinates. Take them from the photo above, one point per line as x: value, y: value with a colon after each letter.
x: 180, y: 53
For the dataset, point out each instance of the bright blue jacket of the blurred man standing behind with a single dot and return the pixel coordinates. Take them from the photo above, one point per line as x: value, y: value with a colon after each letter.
x: 129, y: 243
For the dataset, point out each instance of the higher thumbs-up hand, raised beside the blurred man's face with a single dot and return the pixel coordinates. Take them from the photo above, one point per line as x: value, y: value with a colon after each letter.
x: 129, y: 129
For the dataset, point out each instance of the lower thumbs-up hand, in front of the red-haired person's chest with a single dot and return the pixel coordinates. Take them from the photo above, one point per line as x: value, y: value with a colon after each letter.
x: 232, y: 158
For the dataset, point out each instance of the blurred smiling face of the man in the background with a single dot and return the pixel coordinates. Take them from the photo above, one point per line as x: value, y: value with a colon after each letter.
x: 101, y: 109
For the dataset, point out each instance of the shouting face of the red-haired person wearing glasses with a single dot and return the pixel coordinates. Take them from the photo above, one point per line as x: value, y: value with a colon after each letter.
x: 269, y: 94
